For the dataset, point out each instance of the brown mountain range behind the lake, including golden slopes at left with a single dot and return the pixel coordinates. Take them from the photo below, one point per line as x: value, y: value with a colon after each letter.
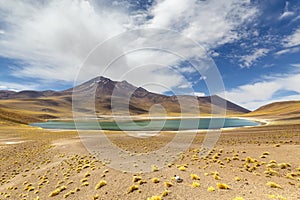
x: 110, y: 96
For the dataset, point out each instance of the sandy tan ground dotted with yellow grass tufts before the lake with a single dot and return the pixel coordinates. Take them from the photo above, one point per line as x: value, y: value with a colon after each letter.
x: 39, y: 164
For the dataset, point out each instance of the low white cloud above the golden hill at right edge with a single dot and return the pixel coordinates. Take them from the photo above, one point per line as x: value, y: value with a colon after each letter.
x: 254, y: 95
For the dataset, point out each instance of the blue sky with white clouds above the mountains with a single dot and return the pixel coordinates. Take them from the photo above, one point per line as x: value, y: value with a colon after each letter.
x: 252, y: 46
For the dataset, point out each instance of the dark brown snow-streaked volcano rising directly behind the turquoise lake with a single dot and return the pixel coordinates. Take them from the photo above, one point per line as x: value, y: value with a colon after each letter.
x: 122, y: 95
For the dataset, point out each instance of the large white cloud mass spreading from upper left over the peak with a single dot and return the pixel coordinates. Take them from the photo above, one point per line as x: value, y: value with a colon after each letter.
x: 52, y: 38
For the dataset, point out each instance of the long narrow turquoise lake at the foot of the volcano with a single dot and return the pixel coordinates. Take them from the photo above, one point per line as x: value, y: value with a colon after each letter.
x: 147, y: 125
